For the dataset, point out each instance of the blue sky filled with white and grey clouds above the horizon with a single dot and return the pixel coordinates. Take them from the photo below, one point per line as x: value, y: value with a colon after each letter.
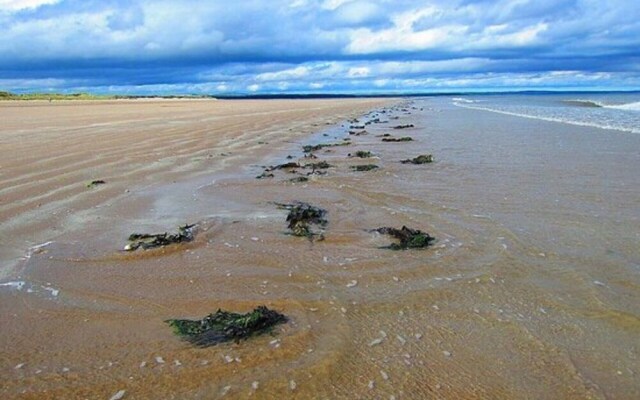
x: 329, y: 46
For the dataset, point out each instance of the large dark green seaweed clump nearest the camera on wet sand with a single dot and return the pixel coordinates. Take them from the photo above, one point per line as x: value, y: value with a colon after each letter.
x: 224, y: 326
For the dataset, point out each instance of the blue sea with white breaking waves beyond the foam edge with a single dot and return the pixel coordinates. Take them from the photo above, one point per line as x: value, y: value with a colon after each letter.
x: 619, y: 111
